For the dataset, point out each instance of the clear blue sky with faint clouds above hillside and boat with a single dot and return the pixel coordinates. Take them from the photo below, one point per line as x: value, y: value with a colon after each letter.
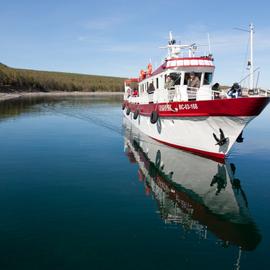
x: 118, y: 38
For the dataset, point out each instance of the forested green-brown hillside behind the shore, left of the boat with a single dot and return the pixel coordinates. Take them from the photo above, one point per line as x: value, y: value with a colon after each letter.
x: 19, y: 80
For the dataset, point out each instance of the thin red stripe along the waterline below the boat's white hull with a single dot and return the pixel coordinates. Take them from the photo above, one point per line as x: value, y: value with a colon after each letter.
x: 219, y: 157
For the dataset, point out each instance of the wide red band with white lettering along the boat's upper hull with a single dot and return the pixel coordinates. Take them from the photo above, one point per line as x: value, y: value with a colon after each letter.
x: 251, y: 106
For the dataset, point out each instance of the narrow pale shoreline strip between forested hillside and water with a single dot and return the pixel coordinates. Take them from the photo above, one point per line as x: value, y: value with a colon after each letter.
x: 8, y: 96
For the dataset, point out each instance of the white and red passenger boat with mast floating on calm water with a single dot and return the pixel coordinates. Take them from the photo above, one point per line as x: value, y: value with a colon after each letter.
x: 201, y: 119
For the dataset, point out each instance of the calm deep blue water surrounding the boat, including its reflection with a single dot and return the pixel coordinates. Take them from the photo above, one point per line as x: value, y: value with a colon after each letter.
x: 79, y: 192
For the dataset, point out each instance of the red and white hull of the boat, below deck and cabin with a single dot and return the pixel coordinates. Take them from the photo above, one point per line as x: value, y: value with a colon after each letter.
x: 195, y: 130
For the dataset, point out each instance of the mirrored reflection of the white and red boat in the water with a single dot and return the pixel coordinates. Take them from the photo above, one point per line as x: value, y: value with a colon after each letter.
x: 200, y: 194
